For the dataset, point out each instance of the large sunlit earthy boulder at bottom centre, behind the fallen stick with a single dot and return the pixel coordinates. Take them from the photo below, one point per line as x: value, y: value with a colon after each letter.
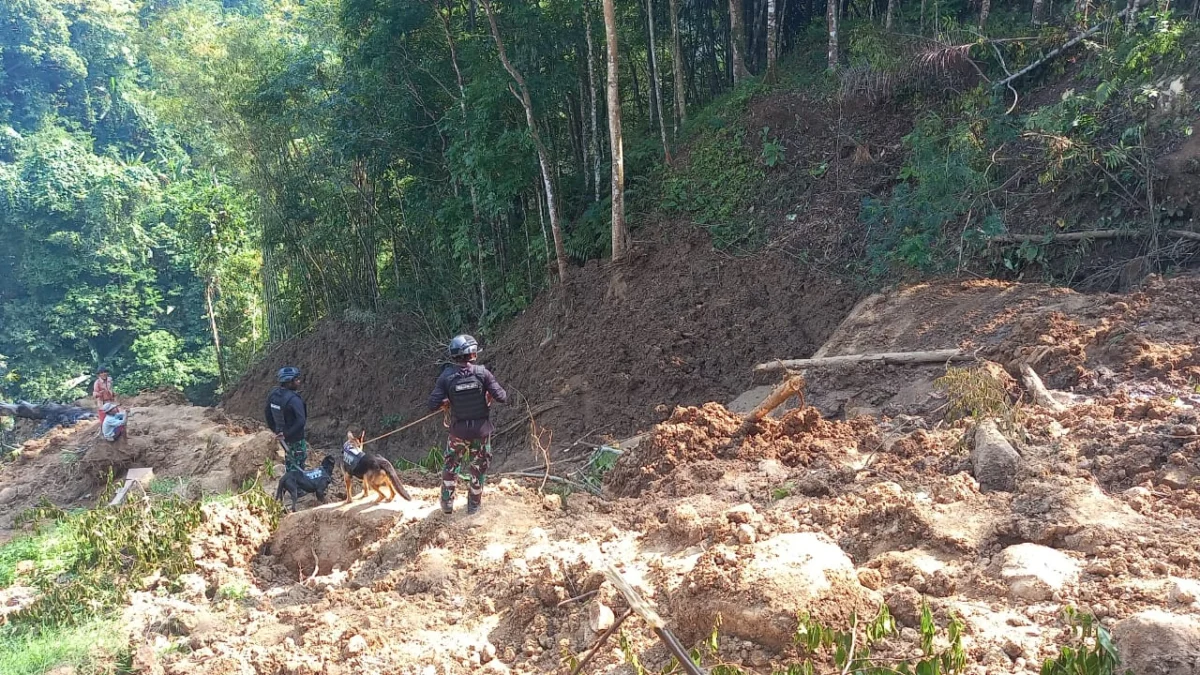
x: 759, y: 590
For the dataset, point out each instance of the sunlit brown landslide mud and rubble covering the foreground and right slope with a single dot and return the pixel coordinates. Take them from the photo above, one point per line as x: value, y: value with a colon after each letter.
x: 868, y: 495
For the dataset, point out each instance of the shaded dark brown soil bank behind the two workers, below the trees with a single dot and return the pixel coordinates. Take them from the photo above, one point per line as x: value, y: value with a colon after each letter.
x: 613, y: 354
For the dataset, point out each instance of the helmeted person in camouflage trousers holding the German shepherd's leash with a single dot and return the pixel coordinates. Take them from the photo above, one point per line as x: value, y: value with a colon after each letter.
x: 467, y: 391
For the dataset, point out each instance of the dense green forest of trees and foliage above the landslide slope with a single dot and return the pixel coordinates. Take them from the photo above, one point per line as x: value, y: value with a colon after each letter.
x: 185, y: 182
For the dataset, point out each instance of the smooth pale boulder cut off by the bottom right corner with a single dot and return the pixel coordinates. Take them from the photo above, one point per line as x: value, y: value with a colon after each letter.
x: 1160, y: 643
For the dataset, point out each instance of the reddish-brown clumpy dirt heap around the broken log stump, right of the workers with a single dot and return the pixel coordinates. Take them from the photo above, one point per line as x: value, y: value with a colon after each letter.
x: 801, y: 438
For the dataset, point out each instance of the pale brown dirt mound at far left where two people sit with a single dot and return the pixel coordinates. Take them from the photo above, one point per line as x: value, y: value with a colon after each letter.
x: 202, y: 450
